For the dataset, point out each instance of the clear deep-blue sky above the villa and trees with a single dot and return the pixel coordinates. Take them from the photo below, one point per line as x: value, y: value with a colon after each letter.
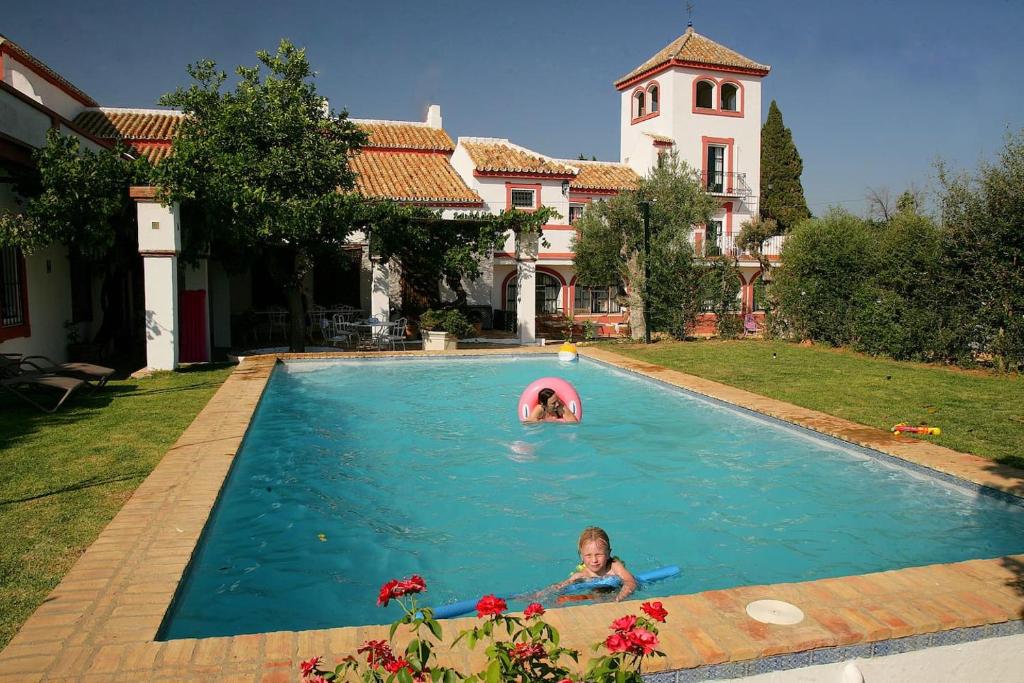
x: 874, y: 92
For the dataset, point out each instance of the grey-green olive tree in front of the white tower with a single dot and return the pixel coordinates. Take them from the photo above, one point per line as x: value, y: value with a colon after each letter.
x: 609, y: 246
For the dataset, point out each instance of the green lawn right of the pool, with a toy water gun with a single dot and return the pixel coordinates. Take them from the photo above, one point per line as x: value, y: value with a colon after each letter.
x: 979, y: 412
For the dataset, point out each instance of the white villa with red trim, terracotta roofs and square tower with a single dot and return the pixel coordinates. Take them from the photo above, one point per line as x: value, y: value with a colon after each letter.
x: 695, y: 97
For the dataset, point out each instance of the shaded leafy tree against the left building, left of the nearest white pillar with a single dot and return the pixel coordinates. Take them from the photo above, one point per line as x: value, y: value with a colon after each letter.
x: 79, y: 197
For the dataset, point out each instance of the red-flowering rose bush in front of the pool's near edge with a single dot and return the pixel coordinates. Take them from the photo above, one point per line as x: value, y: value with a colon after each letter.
x: 524, y: 649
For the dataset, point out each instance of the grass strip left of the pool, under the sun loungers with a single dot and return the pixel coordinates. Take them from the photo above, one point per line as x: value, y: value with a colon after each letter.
x: 64, y: 477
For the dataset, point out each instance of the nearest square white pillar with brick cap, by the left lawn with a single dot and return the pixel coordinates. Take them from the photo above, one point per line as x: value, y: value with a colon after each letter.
x: 160, y: 244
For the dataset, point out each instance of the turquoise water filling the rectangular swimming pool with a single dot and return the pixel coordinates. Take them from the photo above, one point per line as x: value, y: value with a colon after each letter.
x: 356, y: 473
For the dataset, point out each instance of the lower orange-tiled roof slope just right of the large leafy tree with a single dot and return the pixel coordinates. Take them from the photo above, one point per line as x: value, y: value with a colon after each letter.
x: 411, y: 178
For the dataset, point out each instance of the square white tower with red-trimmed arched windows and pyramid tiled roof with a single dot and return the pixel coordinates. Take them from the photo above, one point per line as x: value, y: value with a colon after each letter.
x: 703, y: 101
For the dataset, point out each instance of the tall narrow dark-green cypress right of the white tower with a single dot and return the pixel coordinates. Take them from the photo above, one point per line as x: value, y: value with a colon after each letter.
x: 782, y: 193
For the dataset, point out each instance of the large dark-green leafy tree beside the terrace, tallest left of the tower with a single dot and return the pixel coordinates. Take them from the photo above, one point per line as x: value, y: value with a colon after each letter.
x: 267, y: 165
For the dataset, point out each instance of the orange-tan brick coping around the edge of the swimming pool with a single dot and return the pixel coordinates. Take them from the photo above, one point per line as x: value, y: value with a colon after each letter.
x: 100, y: 623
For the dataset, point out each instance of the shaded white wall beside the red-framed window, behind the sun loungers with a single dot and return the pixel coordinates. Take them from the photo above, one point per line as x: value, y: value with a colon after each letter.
x: 50, y: 306
